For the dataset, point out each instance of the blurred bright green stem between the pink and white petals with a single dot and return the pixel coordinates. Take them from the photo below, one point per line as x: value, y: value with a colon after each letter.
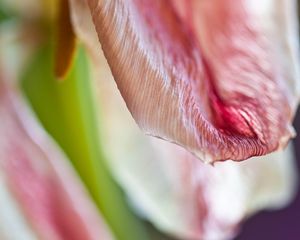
x: 66, y: 110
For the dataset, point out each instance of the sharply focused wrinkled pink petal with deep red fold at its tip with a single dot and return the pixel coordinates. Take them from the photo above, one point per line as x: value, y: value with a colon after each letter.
x: 217, y: 77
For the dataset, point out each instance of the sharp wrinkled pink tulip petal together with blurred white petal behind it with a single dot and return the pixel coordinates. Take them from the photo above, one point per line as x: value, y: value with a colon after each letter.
x: 155, y: 68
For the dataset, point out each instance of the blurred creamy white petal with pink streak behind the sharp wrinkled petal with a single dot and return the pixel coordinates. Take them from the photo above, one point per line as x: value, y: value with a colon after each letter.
x: 179, y: 194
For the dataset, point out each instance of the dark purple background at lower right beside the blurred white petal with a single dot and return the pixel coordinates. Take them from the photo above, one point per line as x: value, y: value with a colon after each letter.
x: 277, y: 225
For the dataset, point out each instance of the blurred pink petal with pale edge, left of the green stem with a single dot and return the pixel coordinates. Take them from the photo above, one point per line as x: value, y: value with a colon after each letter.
x: 36, y: 175
